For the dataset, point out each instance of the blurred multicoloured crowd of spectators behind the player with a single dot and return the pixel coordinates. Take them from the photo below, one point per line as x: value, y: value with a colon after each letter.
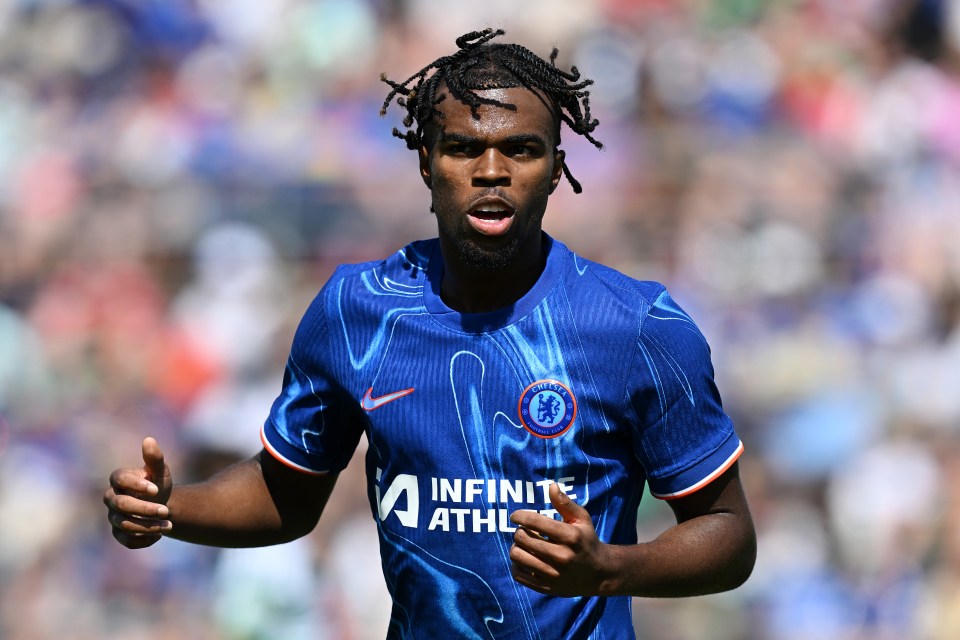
x: 179, y: 177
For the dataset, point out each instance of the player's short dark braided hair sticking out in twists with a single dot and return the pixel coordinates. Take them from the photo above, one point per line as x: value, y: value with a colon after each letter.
x: 476, y: 66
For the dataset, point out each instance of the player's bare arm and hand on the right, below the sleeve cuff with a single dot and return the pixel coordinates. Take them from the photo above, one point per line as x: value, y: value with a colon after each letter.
x: 711, y: 549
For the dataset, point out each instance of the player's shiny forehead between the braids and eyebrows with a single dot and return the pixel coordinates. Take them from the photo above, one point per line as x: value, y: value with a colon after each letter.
x: 531, y: 116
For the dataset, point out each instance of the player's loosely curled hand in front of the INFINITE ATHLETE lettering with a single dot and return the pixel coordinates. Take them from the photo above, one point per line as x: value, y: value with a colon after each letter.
x: 559, y: 558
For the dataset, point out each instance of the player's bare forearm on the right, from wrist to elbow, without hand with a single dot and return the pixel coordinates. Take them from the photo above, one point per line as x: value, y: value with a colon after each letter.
x: 706, y: 554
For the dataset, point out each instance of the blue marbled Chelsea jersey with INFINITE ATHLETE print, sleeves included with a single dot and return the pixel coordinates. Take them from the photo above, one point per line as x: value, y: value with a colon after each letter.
x: 592, y: 379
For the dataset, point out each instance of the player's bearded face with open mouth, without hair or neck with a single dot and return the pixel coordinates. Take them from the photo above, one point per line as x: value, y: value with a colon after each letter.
x: 490, y: 177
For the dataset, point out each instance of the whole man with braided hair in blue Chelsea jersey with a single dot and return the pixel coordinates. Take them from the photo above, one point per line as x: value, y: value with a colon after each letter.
x: 515, y: 397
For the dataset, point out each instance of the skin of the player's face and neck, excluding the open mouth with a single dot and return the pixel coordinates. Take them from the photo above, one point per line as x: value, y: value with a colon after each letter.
x: 506, y: 158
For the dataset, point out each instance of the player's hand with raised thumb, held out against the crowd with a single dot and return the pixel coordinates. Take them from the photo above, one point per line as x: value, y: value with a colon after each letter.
x: 137, y: 500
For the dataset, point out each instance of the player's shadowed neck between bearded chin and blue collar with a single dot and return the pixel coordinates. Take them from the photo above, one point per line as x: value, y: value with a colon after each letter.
x: 470, y: 289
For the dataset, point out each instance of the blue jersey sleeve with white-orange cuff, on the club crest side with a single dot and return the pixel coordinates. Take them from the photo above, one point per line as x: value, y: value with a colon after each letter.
x: 683, y: 437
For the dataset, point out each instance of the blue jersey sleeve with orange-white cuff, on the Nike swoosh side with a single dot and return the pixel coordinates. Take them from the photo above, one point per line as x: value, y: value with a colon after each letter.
x: 312, y: 426
